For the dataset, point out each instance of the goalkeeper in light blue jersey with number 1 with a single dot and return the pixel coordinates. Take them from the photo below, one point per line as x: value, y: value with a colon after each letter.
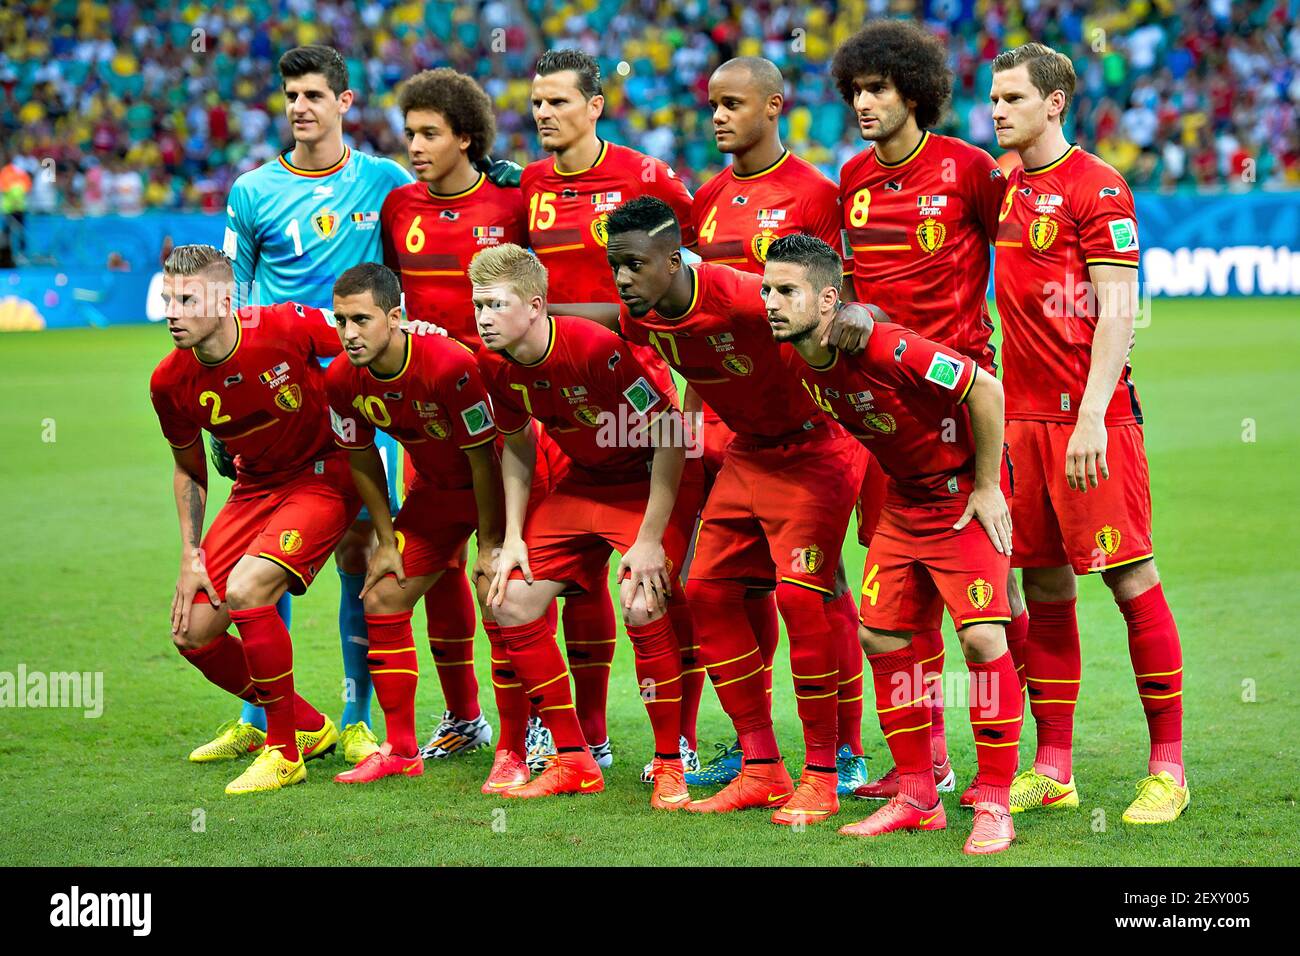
x: 293, y: 226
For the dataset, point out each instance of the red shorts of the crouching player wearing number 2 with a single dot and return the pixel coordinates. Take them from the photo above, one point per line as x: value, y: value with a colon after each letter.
x: 297, y: 525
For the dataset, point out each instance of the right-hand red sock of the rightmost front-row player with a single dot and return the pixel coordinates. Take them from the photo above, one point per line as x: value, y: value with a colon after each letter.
x: 998, y: 712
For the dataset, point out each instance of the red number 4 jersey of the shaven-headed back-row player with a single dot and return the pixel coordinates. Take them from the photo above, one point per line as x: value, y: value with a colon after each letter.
x: 736, y: 218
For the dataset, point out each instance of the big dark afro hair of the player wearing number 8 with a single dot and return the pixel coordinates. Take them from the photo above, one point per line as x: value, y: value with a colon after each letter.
x: 903, y: 53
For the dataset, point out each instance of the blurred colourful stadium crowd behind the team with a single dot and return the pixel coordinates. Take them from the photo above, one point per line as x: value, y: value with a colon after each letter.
x: 122, y: 107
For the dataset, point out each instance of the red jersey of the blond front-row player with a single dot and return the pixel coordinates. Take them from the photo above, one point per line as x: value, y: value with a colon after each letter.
x: 587, y: 391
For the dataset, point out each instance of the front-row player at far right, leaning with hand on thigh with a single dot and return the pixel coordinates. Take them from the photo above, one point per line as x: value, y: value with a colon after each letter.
x: 934, y: 423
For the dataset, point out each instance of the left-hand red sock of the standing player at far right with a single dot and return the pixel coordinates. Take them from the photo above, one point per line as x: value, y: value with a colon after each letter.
x: 1054, y: 671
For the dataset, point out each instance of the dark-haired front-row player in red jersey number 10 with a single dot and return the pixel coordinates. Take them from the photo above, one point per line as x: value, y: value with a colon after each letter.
x: 426, y: 392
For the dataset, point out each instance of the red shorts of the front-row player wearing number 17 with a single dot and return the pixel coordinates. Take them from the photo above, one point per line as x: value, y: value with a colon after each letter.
x: 781, y: 513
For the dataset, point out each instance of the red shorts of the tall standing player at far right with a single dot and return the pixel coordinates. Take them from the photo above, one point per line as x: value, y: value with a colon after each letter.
x: 1098, y: 530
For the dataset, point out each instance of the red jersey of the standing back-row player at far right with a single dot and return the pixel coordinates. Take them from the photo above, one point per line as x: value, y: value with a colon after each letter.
x: 1056, y: 222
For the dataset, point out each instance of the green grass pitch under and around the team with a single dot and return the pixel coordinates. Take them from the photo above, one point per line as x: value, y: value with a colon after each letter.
x: 89, y: 566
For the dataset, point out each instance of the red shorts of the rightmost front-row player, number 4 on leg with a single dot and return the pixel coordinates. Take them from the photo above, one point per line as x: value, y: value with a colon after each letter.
x: 917, y: 565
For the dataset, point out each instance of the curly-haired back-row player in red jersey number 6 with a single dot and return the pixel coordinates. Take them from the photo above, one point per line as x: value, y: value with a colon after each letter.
x: 431, y: 231
